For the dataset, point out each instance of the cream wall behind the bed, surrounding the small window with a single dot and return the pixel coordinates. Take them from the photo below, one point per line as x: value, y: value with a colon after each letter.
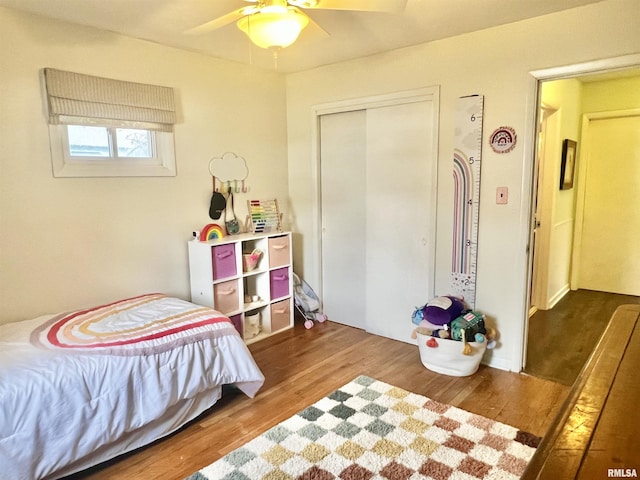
x: 72, y: 242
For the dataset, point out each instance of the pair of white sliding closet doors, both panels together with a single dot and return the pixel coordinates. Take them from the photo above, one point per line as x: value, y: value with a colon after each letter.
x: 378, y: 180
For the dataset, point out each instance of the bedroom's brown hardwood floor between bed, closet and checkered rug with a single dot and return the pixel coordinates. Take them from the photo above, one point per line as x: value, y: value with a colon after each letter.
x: 301, y: 366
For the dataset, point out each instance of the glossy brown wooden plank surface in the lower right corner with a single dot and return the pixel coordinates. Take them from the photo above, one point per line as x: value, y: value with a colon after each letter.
x: 597, y: 432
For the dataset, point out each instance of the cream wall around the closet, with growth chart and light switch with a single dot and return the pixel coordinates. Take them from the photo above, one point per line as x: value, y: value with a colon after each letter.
x: 496, y: 63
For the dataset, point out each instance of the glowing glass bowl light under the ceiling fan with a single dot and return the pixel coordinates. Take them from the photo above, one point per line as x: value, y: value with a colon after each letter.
x: 274, y: 27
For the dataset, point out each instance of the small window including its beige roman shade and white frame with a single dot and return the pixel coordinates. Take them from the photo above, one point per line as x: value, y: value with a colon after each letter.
x: 103, y: 127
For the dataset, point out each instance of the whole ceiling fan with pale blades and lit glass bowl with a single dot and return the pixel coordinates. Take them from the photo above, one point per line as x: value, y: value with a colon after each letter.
x: 276, y: 24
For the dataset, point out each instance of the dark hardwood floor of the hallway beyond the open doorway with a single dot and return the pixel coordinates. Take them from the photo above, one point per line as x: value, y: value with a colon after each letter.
x: 561, y: 339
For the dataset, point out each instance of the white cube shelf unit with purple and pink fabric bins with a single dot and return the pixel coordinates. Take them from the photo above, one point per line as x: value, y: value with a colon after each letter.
x: 263, y: 296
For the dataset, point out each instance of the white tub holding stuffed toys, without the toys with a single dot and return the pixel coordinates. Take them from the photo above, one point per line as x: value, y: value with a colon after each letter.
x: 447, y: 358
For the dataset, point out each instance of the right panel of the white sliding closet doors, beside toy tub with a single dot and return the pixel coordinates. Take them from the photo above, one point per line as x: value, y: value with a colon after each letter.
x: 399, y: 239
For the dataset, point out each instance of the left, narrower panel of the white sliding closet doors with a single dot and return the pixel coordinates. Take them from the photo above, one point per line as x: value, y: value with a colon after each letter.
x: 343, y: 190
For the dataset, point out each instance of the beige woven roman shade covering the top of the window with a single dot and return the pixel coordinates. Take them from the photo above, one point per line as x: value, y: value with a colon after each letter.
x: 77, y: 98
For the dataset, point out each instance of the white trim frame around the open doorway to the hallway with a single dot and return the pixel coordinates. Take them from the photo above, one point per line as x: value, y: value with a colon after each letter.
x: 529, y: 172
